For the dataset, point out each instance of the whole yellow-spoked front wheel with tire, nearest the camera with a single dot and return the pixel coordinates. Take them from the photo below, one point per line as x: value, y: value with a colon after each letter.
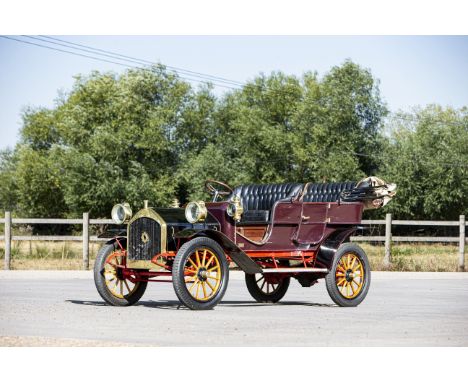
x: 200, y: 273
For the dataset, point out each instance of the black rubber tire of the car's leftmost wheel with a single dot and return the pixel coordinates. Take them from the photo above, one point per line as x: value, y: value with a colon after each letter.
x: 99, y: 280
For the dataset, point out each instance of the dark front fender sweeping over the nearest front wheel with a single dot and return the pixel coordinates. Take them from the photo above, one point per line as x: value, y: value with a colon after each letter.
x: 237, y: 255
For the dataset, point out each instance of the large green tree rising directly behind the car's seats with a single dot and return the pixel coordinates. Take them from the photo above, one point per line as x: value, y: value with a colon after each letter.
x: 281, y: 128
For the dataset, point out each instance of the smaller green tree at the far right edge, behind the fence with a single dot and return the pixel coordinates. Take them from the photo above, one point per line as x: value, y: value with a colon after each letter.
x: 427, y: 158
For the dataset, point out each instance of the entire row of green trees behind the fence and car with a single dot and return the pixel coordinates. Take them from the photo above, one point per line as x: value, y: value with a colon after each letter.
x: 146, y: 134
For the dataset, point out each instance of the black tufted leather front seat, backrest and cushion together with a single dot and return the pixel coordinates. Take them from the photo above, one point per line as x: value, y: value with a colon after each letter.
x: 258, y: 199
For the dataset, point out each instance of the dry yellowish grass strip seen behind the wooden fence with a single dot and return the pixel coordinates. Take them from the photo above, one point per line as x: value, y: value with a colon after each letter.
x: 68, y: 256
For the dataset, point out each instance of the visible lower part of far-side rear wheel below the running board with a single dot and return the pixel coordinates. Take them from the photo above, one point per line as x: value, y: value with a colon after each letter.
x: 267, y: 288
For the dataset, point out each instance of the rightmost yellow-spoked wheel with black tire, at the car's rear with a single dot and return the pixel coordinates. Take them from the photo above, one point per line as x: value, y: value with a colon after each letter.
x: 349, y: 279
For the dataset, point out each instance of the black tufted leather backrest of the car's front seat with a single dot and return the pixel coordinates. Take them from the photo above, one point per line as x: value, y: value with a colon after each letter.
x: 263, y: 196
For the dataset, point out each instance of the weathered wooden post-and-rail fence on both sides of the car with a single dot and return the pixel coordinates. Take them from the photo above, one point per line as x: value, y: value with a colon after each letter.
x: 85, y: 238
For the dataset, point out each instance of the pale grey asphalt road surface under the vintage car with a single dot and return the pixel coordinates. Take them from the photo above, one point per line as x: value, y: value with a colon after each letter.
x: 53, y: 308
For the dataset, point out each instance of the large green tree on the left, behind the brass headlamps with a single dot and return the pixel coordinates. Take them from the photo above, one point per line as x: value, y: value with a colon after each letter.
x: 112, y: 138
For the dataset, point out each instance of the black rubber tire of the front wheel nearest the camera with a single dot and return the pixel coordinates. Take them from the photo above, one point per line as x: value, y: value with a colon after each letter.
x: 178, y: 277
